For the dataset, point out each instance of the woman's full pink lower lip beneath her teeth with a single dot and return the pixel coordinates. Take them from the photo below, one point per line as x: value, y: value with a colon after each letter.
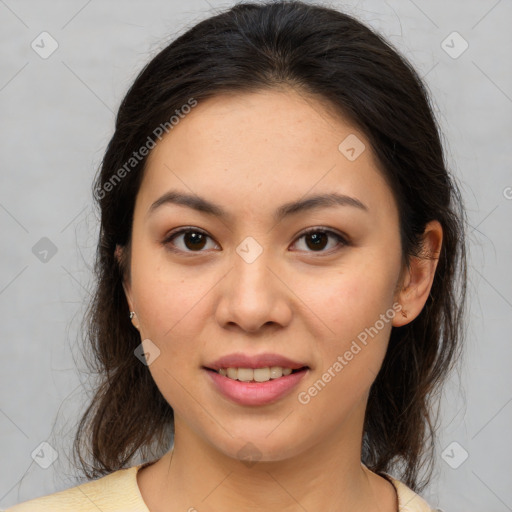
x: 256, y: 393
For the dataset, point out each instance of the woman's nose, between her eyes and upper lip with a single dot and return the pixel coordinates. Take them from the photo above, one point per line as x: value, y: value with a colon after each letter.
x: 253, y: 295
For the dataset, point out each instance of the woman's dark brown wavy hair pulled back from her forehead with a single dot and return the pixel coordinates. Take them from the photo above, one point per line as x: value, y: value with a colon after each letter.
x: 330, y: 56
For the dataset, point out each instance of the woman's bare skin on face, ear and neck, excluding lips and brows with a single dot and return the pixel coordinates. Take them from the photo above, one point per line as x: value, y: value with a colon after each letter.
x: 250, y: 153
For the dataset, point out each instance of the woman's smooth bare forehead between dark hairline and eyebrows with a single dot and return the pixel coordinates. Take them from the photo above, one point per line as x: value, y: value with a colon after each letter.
x: 263, y: 147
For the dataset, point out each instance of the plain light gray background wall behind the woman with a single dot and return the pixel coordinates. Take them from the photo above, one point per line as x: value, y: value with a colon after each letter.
x: 57, y: 117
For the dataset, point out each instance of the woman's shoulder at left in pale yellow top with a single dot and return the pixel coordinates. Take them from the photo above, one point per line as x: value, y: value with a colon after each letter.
x: 115, y: 492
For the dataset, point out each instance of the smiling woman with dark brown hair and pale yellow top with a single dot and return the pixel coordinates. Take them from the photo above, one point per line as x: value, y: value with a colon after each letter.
x: 281, y: 276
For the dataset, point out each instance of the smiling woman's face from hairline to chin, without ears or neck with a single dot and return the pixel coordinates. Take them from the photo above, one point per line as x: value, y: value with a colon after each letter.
x: 252, y: 282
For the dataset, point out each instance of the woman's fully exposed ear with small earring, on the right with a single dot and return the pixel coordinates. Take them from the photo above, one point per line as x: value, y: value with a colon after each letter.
x: 418, y: 277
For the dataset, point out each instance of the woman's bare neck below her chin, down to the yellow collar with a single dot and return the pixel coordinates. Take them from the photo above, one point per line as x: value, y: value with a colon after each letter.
x: 195, y: 474
